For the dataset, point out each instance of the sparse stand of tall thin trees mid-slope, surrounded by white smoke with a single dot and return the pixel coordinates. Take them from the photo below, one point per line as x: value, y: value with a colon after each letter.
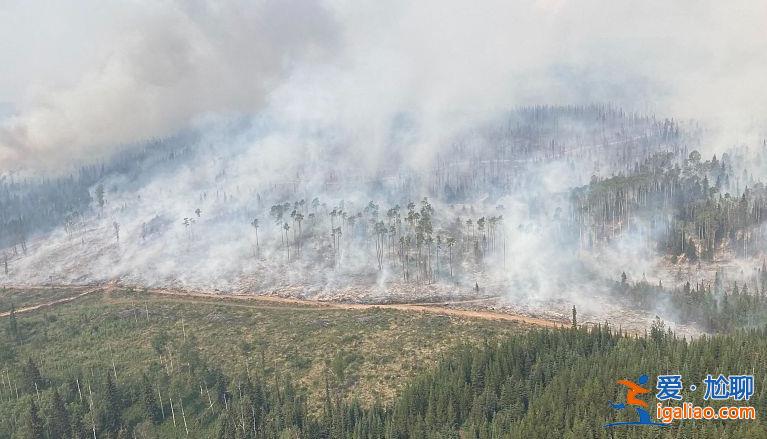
x: 422, y: 242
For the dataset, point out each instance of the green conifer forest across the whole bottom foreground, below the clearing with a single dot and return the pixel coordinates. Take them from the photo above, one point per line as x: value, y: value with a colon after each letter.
x: 548, y: 383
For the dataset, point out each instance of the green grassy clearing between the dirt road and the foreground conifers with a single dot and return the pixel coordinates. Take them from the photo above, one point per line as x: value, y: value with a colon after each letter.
x: 369, y: 353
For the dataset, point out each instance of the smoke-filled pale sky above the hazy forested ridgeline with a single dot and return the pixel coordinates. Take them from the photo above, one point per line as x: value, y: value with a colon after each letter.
x: 83, y: 76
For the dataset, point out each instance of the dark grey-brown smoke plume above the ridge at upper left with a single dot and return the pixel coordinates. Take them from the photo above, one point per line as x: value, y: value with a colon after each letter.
x: 163, y: 65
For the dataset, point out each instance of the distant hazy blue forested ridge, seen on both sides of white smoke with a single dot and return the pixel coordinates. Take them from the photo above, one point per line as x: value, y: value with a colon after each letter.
x: 489, y: 159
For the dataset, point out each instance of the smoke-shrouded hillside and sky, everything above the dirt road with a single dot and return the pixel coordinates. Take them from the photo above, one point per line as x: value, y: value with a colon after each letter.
x: 181, y: 143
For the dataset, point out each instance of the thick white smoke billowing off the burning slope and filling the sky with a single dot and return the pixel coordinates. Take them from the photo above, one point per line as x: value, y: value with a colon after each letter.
x: 343, y: 90
